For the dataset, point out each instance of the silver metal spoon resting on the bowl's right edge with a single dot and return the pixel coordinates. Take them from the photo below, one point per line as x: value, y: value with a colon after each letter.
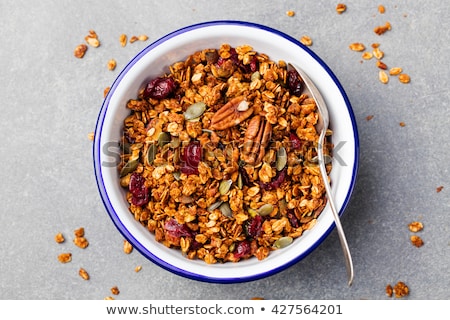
x: 322, y: 126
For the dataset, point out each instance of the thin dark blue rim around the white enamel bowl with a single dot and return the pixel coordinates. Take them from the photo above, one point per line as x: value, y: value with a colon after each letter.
x: 104, y: 195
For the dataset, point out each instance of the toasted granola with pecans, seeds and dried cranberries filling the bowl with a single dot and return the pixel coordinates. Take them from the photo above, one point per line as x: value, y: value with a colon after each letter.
x: 219, y: 156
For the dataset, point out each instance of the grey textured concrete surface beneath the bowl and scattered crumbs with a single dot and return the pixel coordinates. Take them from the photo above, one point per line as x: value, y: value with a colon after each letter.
x: 50, y: 102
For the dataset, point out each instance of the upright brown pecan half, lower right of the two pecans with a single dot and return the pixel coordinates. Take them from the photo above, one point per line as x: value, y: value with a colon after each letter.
x: 256, y: 139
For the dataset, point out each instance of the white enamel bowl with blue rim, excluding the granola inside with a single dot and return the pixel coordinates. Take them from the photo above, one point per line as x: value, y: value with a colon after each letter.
x: 153, y: 61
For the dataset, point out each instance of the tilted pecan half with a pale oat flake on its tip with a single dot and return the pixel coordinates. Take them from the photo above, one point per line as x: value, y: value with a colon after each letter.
x: 232, y: 113
